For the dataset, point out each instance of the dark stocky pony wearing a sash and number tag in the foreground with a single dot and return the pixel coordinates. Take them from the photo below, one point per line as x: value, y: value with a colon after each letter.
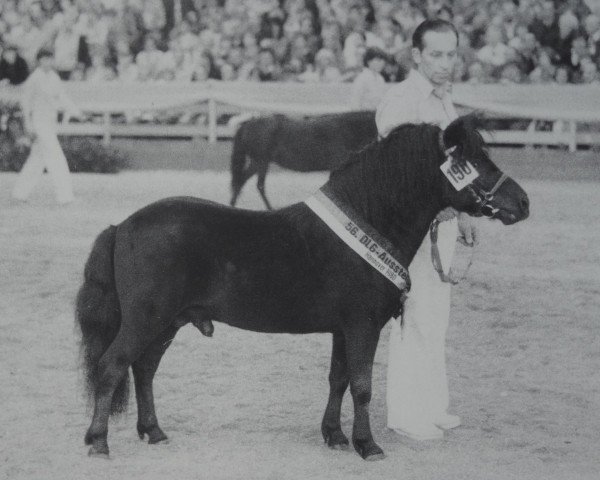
x: 183, y: 260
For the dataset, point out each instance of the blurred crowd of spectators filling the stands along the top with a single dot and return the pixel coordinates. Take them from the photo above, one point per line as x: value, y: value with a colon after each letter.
x: 507, y: 41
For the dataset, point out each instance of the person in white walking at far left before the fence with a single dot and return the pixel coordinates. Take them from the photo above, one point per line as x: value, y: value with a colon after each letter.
x: 43, y: 96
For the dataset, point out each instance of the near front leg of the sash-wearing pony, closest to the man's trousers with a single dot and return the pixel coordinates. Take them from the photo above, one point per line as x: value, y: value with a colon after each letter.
x: 361, y: 343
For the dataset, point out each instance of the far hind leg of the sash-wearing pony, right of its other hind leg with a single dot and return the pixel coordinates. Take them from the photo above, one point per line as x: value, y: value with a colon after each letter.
x: 144, y: 369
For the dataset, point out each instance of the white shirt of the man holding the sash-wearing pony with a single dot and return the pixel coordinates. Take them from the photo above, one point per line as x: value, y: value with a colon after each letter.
x: 413, y: 101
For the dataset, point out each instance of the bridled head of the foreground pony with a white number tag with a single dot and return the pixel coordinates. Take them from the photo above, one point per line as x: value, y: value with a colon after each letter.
x: 474, y: 184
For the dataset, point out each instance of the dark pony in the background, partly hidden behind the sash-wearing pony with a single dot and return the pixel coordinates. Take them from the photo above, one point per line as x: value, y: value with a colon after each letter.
x: 317, y: 144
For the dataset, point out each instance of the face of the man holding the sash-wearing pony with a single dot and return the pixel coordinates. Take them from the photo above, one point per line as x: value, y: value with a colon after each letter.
x: 437, y: 59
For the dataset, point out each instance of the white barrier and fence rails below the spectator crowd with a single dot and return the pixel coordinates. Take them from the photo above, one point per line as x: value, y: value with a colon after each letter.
x: 563, y: 105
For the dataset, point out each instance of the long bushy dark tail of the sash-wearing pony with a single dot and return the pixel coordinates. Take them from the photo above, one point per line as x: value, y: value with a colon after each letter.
x: 99, y: 315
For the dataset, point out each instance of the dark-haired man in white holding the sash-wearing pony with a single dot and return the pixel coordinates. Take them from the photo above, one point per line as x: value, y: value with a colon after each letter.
x: 417, y: 387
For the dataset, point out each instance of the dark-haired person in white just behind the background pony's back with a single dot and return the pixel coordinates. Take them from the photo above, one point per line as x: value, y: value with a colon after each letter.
x: 369, y: 86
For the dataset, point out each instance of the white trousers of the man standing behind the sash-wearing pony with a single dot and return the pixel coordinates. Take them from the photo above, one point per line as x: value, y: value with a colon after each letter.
x: 417, y: 387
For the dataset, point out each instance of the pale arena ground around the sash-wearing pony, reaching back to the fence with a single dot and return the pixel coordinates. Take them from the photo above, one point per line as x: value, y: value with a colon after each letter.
x: 523, y: 346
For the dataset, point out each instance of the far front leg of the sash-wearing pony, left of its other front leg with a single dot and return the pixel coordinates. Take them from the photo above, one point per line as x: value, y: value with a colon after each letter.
x: 338, y: 383
